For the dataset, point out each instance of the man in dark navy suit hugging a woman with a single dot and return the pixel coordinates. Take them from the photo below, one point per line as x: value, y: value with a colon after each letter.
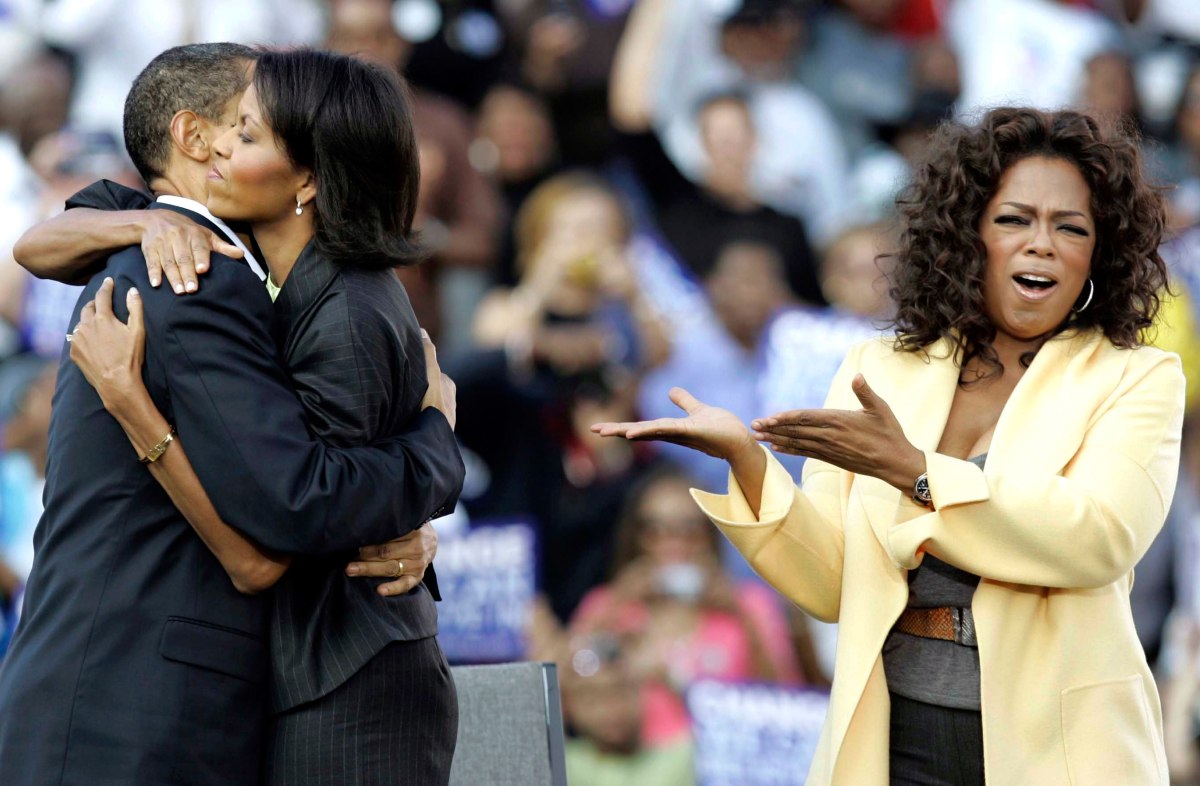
x: 137, y: 662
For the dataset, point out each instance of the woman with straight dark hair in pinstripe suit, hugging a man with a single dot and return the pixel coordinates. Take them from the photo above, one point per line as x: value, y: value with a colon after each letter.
x: 323, y: 166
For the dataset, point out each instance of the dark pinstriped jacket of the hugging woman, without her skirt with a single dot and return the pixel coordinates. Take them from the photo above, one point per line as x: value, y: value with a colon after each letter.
x: 353, y: 349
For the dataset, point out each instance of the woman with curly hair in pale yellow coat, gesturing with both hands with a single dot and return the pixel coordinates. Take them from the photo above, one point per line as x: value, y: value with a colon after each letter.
x: 1017, y: 439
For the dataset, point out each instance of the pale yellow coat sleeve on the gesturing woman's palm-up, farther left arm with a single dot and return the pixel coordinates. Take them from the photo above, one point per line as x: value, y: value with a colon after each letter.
x: 796, y: 543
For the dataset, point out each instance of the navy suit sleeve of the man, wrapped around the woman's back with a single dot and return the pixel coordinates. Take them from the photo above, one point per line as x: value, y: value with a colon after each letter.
x: 245, y: 433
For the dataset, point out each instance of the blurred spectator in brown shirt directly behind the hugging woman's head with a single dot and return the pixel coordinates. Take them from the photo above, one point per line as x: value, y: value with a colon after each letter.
x: 458, y: 211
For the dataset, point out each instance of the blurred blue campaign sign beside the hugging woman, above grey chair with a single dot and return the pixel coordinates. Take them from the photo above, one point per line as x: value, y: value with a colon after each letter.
x: 488, y: 577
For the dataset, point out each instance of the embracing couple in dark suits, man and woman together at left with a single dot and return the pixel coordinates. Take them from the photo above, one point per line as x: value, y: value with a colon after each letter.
x: 261, y: 429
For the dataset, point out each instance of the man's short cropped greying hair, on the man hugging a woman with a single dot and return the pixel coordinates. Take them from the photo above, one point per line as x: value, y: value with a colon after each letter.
x: 201, y: 77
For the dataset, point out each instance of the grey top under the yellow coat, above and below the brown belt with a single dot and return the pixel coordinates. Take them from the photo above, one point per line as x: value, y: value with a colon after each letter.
x: 929, y: 670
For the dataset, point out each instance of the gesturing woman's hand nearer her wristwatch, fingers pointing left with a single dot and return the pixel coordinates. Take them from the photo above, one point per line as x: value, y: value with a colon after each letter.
x: 867, y: 442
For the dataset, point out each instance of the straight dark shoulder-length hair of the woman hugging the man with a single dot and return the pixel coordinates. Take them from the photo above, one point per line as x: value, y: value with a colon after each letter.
x: 350, y: 123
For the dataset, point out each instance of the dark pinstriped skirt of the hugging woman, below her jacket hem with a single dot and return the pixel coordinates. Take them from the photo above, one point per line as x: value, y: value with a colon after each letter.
x: 387, y: 725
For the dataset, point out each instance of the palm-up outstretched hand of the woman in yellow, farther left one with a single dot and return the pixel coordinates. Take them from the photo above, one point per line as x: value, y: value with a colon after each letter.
x: 710, y: 430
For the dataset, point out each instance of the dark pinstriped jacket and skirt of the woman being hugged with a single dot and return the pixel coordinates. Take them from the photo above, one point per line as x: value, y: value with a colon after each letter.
x: 352, y: 700
